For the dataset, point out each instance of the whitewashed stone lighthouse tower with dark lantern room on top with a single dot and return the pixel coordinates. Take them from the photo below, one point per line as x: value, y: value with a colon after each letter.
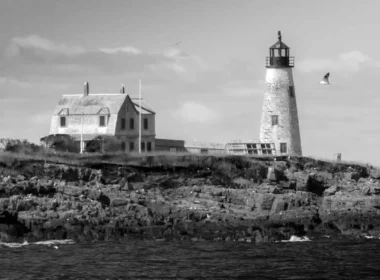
x: 279, y: 119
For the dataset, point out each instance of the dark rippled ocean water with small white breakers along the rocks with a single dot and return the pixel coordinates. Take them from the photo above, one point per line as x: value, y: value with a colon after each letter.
x: 325, y: 258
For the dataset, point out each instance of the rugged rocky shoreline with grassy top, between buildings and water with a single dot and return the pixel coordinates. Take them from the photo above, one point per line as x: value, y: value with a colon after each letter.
x: 198, y: 198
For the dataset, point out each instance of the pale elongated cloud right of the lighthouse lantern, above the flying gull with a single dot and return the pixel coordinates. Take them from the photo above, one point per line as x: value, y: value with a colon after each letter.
x: 348, y: 61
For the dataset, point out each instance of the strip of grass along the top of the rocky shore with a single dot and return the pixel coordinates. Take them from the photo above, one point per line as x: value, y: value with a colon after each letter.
x: 222, y: 162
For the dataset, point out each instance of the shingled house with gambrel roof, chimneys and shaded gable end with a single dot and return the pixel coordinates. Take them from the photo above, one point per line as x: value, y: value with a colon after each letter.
x: 105, y: 114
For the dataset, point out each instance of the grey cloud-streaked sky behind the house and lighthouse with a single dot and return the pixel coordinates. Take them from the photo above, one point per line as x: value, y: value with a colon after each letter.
x: 210, y: 87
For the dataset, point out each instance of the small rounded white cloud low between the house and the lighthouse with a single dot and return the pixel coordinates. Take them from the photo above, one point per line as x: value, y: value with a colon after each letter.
x: 197, y: 113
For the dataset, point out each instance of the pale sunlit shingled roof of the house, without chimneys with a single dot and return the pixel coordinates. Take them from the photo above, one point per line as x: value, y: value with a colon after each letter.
x: 93, y: 104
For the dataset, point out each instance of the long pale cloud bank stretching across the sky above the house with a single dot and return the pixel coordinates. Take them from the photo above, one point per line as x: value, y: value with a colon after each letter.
x: 35, y: 56
